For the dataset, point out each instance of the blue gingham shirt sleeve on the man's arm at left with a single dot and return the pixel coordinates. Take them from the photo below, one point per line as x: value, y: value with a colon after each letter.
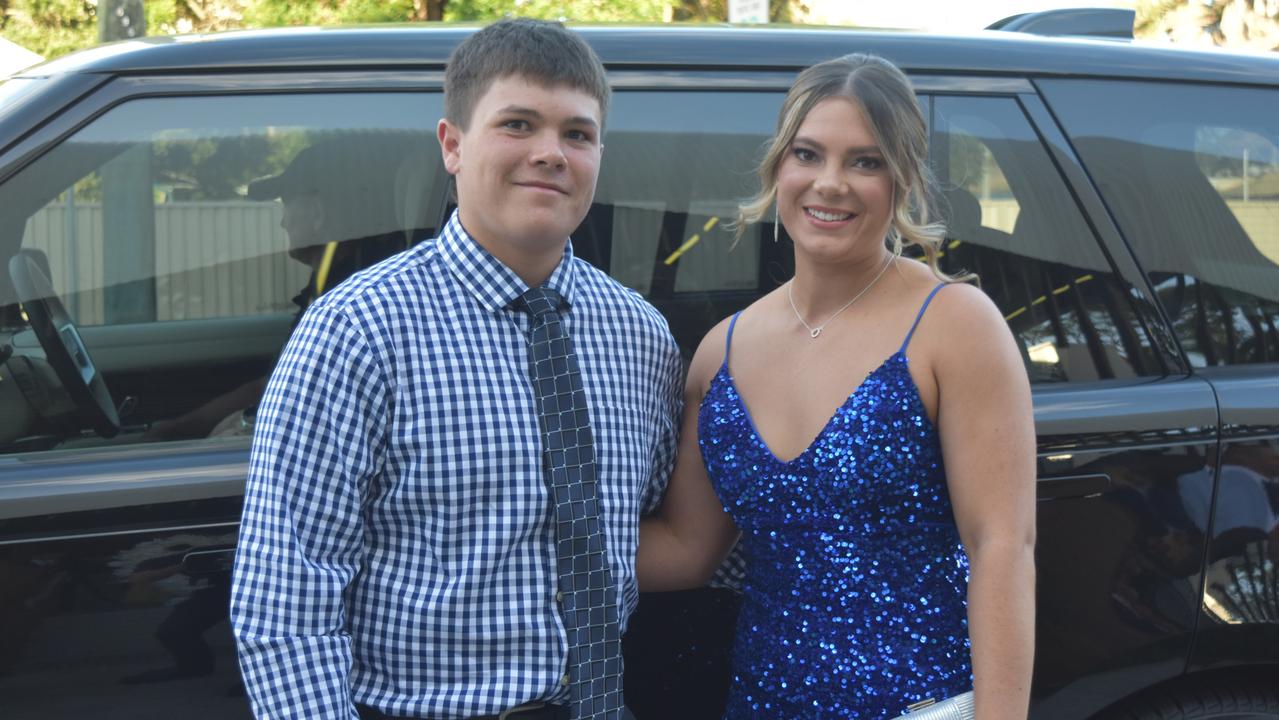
x: 301, y: 543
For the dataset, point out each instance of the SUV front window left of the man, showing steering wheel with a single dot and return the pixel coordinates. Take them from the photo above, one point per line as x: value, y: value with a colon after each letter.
x: 178, y: 240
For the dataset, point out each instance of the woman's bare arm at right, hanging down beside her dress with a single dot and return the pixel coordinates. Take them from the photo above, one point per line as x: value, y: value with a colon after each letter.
x: 988, y: 442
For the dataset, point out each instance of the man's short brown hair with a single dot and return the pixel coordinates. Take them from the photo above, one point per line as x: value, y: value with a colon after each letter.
x: 542, y: 52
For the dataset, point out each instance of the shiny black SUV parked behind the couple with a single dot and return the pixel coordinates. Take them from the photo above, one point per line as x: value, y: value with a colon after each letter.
x: 1120, y: 203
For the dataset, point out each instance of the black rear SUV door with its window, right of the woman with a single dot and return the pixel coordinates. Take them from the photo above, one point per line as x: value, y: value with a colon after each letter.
x: 1124, y: 428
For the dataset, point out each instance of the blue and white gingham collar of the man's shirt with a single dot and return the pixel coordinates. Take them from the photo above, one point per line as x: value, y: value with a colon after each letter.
x: 494, y: 286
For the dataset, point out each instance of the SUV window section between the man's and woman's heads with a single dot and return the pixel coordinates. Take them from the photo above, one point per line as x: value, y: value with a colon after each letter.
x: 676, y: 167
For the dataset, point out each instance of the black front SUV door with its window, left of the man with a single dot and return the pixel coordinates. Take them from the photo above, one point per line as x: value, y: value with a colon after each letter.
x: 164, y: 215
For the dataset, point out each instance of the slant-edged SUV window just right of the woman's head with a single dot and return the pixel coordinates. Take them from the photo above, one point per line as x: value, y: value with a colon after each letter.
x: 1014, y: 223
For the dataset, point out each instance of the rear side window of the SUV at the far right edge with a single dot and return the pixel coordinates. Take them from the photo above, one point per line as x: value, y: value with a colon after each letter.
x: 1191, y: 175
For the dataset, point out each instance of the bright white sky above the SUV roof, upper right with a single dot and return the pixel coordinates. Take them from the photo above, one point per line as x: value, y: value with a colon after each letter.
x: 937, y: 16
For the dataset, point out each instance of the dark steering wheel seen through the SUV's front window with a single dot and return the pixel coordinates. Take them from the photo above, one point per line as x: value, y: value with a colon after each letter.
x: 65, y: 351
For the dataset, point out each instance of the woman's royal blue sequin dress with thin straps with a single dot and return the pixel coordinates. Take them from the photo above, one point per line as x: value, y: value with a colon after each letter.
x: 855, y: 600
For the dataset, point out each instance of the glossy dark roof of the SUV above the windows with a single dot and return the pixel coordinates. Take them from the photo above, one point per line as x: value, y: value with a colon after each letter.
x: 679, y: 47
